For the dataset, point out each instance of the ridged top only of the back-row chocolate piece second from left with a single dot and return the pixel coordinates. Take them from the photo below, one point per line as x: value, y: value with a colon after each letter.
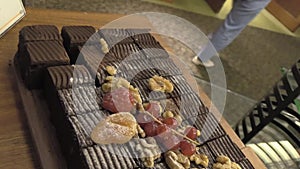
x: 77, y: 34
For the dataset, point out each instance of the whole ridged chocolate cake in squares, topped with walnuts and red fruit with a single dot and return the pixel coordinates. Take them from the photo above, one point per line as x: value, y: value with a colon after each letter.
x: 124, y: 104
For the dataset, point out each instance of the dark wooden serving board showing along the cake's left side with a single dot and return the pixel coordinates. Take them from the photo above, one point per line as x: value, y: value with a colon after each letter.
x: 42, y: 131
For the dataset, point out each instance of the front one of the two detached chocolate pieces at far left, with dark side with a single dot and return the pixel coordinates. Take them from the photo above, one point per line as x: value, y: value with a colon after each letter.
x: 37, y: 57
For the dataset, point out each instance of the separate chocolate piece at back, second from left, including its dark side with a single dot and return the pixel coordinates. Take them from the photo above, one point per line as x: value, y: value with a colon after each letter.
x: 75, y: 36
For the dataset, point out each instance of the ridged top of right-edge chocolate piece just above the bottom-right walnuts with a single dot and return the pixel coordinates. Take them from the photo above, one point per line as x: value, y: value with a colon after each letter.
x: 224, y: 146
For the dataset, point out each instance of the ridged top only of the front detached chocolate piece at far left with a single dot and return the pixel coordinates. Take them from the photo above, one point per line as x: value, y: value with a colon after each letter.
x: 48, y: 53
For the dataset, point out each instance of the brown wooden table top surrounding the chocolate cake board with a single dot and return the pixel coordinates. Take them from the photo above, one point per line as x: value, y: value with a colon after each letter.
x: 16, y: 144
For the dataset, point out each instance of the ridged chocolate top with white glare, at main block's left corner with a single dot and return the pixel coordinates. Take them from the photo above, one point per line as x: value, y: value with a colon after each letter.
x: 64, y: 77
